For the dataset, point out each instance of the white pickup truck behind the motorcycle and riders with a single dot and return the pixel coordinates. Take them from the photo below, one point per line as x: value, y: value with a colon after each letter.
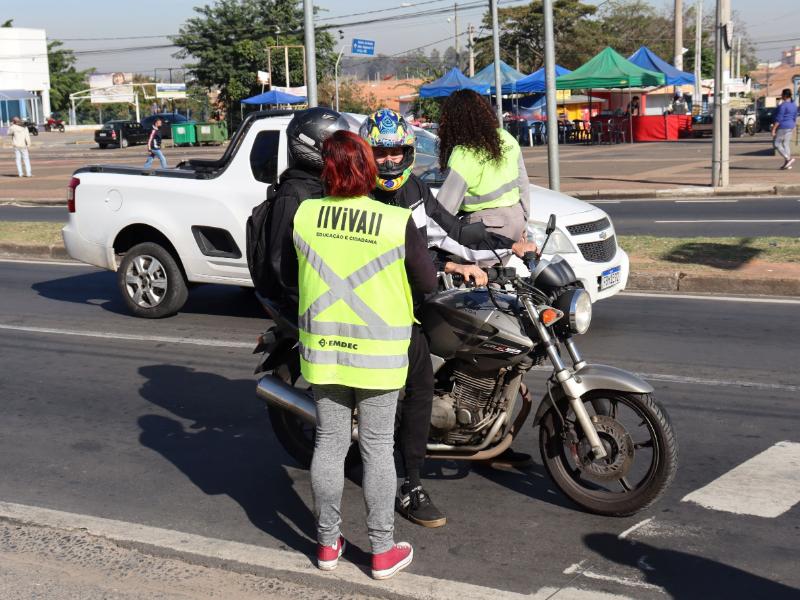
x: 164, y: 229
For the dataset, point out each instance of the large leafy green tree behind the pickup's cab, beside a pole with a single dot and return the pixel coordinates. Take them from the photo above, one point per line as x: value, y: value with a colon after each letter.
x: 229, y: 41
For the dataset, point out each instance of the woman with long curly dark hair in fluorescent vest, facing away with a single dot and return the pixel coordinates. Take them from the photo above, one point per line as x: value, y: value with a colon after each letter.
x: 487, y: 178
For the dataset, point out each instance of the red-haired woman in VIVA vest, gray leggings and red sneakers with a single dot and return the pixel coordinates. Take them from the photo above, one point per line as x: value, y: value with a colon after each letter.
x: 358, y: 263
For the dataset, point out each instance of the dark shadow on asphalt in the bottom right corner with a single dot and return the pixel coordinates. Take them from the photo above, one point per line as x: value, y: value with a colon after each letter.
x: 685, y: 575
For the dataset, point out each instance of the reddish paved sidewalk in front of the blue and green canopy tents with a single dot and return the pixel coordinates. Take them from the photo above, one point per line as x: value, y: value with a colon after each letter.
x: 663, y: 169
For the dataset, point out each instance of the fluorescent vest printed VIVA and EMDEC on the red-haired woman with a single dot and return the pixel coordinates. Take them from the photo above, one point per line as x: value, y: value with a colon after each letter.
x: 355, y: 311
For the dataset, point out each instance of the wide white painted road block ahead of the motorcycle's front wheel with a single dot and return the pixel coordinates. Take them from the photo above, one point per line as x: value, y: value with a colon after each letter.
x: 767, y: 485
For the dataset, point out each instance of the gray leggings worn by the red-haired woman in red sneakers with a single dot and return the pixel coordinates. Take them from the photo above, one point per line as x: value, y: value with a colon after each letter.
x: 376, y: 413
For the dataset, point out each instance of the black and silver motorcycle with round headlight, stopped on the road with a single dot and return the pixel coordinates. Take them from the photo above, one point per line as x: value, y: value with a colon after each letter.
x: 604, y: 440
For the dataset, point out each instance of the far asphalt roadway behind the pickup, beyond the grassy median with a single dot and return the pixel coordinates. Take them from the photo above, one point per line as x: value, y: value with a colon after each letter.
x: 718, y: 217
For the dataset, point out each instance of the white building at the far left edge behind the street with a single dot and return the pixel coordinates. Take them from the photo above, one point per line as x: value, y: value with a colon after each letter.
x: 24, y: 74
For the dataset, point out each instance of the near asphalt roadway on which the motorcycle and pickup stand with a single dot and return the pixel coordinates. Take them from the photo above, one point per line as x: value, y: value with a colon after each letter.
x: 161, y: 428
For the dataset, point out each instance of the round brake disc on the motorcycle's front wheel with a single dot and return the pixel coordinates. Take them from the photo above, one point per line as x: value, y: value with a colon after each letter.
x: 619, y: 449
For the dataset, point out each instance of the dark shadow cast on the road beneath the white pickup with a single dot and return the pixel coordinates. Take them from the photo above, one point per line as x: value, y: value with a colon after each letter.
x: 100, y: 288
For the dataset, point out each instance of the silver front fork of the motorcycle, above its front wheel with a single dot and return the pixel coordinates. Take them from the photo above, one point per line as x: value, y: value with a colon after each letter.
x: 566, y: 378
